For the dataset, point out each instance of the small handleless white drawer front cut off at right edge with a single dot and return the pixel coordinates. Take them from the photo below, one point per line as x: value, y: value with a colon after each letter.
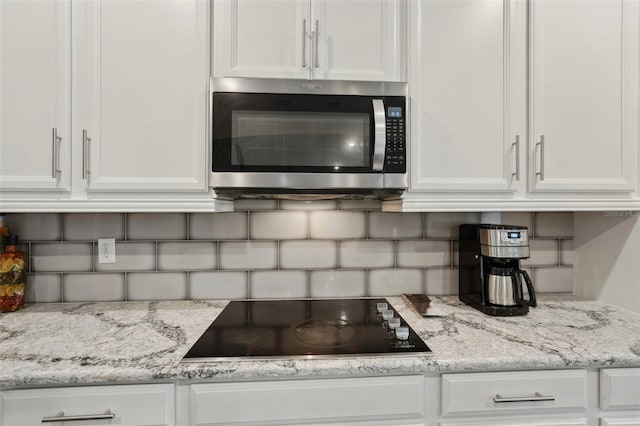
x: 620, y: 388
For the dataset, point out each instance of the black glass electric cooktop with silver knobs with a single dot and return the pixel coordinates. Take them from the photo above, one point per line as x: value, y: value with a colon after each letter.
x: 303, y: 329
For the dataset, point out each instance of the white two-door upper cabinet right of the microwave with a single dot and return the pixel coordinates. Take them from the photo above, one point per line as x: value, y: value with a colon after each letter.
x: 523, y: 105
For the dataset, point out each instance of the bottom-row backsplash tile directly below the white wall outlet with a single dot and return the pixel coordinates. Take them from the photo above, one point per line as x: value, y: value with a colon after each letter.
x: 93, y: 287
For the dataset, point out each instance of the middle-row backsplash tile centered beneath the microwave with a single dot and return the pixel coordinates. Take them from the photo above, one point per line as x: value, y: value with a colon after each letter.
x: 308, y: 254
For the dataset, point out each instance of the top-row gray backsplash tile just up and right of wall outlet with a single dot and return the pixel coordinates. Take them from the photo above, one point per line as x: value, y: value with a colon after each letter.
x: 156, y: 226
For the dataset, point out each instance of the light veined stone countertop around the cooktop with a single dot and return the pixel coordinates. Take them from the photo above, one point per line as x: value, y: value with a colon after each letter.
x: 126, y: 342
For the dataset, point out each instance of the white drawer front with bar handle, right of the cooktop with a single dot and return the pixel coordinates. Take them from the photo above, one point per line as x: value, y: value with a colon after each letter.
x: 513, y: 391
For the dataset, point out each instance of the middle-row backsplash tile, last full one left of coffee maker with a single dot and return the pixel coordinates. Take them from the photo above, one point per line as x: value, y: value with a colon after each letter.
x: 424, y: 253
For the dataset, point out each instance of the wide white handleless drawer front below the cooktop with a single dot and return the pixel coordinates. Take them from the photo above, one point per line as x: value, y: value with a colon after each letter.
x: 308, y: 401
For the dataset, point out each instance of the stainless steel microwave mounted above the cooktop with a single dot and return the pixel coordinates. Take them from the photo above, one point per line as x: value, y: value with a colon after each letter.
x: 306, y: 137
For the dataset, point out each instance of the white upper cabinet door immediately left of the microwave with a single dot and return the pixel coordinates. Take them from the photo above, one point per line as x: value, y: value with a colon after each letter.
x: 145, y: 76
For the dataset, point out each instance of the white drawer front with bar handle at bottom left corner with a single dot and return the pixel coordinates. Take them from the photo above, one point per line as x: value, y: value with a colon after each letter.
x: 133, y: 405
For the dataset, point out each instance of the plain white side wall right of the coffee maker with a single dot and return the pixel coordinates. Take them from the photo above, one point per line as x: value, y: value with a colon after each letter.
x: 607, y: 266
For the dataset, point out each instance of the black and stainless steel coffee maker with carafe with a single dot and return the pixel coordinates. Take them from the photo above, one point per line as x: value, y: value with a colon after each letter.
x: 490, y: 277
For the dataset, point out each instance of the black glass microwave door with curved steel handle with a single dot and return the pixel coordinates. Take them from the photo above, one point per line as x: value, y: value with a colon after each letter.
x: 296, y: 133
